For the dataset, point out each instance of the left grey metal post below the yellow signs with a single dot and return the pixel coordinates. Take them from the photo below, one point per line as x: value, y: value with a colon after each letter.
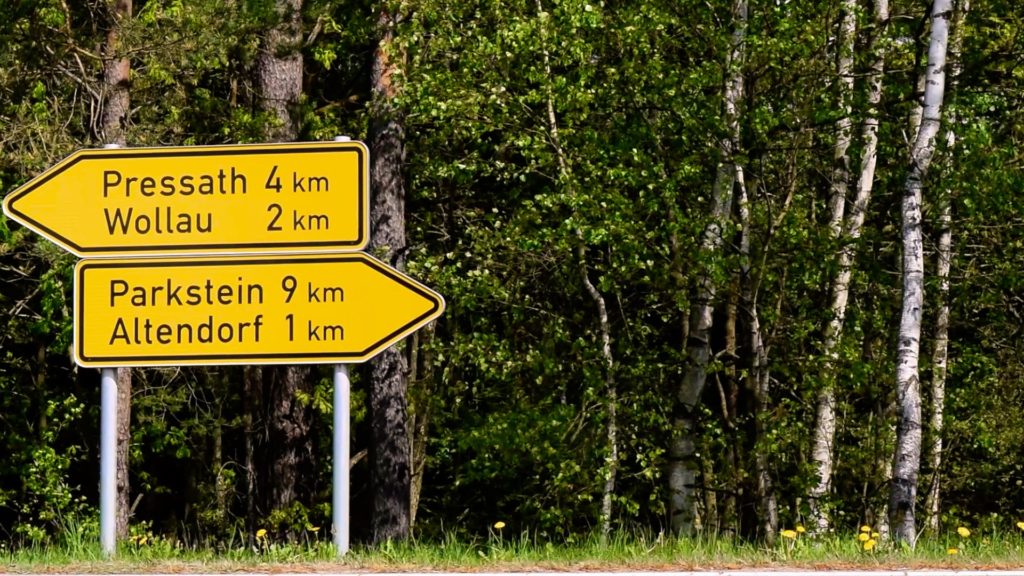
x: 108, y: 461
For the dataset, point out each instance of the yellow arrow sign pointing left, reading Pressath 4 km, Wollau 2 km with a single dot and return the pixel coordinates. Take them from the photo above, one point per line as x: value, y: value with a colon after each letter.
x: 201, y: 200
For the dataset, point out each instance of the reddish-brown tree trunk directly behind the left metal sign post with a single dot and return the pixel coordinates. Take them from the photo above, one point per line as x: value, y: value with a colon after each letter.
x: 114, y: 119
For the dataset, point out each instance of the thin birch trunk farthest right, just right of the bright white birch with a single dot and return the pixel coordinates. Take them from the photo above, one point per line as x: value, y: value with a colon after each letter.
x: 944, y: 258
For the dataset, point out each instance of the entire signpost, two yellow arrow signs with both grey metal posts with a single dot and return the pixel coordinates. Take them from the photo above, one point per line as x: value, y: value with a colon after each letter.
x: 269, y: 270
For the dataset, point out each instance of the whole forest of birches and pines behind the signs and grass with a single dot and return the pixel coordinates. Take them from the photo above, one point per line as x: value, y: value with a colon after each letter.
x: 673, y: 238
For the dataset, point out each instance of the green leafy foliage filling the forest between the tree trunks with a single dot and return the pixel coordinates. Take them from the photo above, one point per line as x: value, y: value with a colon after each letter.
x: 539, y: 139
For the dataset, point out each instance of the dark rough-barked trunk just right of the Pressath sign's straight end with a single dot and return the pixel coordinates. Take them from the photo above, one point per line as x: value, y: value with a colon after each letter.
x: 390, y: 455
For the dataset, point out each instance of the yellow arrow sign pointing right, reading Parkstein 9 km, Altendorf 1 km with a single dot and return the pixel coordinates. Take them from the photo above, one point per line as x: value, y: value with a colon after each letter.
x: 255, y: 310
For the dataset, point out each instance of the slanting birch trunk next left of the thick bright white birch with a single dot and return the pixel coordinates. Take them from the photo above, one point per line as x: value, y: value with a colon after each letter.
x: 825, y: 431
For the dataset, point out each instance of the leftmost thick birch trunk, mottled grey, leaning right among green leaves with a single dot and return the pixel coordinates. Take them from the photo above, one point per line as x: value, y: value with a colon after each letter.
x: 682, y: 468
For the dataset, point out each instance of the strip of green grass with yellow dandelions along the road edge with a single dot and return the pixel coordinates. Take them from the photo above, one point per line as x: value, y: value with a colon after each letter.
x: 502, y: 553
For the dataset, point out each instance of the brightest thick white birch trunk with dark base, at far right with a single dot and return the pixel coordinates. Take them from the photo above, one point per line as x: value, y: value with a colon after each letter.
x: 907, y: 462
